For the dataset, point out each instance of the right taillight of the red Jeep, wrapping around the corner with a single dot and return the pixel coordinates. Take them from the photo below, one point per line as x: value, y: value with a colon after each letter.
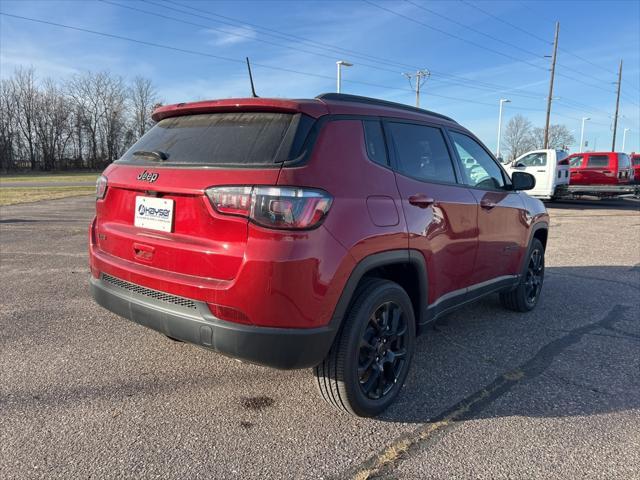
x: 273, y: 207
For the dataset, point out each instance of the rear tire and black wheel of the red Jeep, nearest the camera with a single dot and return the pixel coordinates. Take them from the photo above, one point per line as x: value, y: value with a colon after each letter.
x: 368, y: 363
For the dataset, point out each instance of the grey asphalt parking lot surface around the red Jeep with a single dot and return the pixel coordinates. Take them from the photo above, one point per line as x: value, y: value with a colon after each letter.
x: 492, y: 394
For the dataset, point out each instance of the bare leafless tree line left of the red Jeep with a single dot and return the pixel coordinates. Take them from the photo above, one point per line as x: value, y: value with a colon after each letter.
x: 84, y: 122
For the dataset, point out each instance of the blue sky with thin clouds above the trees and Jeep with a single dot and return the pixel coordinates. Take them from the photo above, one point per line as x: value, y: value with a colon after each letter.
x: 477, y: 52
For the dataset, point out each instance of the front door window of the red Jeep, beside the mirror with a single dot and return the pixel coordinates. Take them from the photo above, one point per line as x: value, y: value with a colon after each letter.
x: 480, y: 170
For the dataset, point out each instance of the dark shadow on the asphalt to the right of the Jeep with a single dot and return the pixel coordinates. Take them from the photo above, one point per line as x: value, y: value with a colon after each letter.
x: 577, y: 353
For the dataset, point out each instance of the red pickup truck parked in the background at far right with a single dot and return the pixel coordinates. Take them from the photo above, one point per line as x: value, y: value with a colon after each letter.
x: 604, y: 174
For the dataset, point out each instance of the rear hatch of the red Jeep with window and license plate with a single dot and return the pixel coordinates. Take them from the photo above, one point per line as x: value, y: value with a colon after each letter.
x: 155, y: 213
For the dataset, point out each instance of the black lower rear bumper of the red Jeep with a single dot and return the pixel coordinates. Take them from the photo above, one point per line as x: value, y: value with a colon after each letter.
x: 284, y: 348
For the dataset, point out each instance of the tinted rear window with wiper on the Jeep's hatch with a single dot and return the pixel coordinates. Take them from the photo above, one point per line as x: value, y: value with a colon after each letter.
x: 244, y: 138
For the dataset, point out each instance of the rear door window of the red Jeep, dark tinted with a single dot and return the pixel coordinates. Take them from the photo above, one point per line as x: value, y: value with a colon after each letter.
x: 422, y: 152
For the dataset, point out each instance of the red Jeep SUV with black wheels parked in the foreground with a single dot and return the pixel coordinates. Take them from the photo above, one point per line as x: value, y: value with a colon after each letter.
x: 322, y: 233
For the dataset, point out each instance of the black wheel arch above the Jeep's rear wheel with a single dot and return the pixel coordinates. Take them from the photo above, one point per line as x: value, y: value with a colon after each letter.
x: 405, y: 267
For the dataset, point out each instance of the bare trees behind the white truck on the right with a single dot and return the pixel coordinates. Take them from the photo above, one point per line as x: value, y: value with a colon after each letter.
x: 520, y: 136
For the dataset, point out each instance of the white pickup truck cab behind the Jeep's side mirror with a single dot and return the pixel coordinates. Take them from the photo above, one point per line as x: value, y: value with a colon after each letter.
x: 550, y: 169
